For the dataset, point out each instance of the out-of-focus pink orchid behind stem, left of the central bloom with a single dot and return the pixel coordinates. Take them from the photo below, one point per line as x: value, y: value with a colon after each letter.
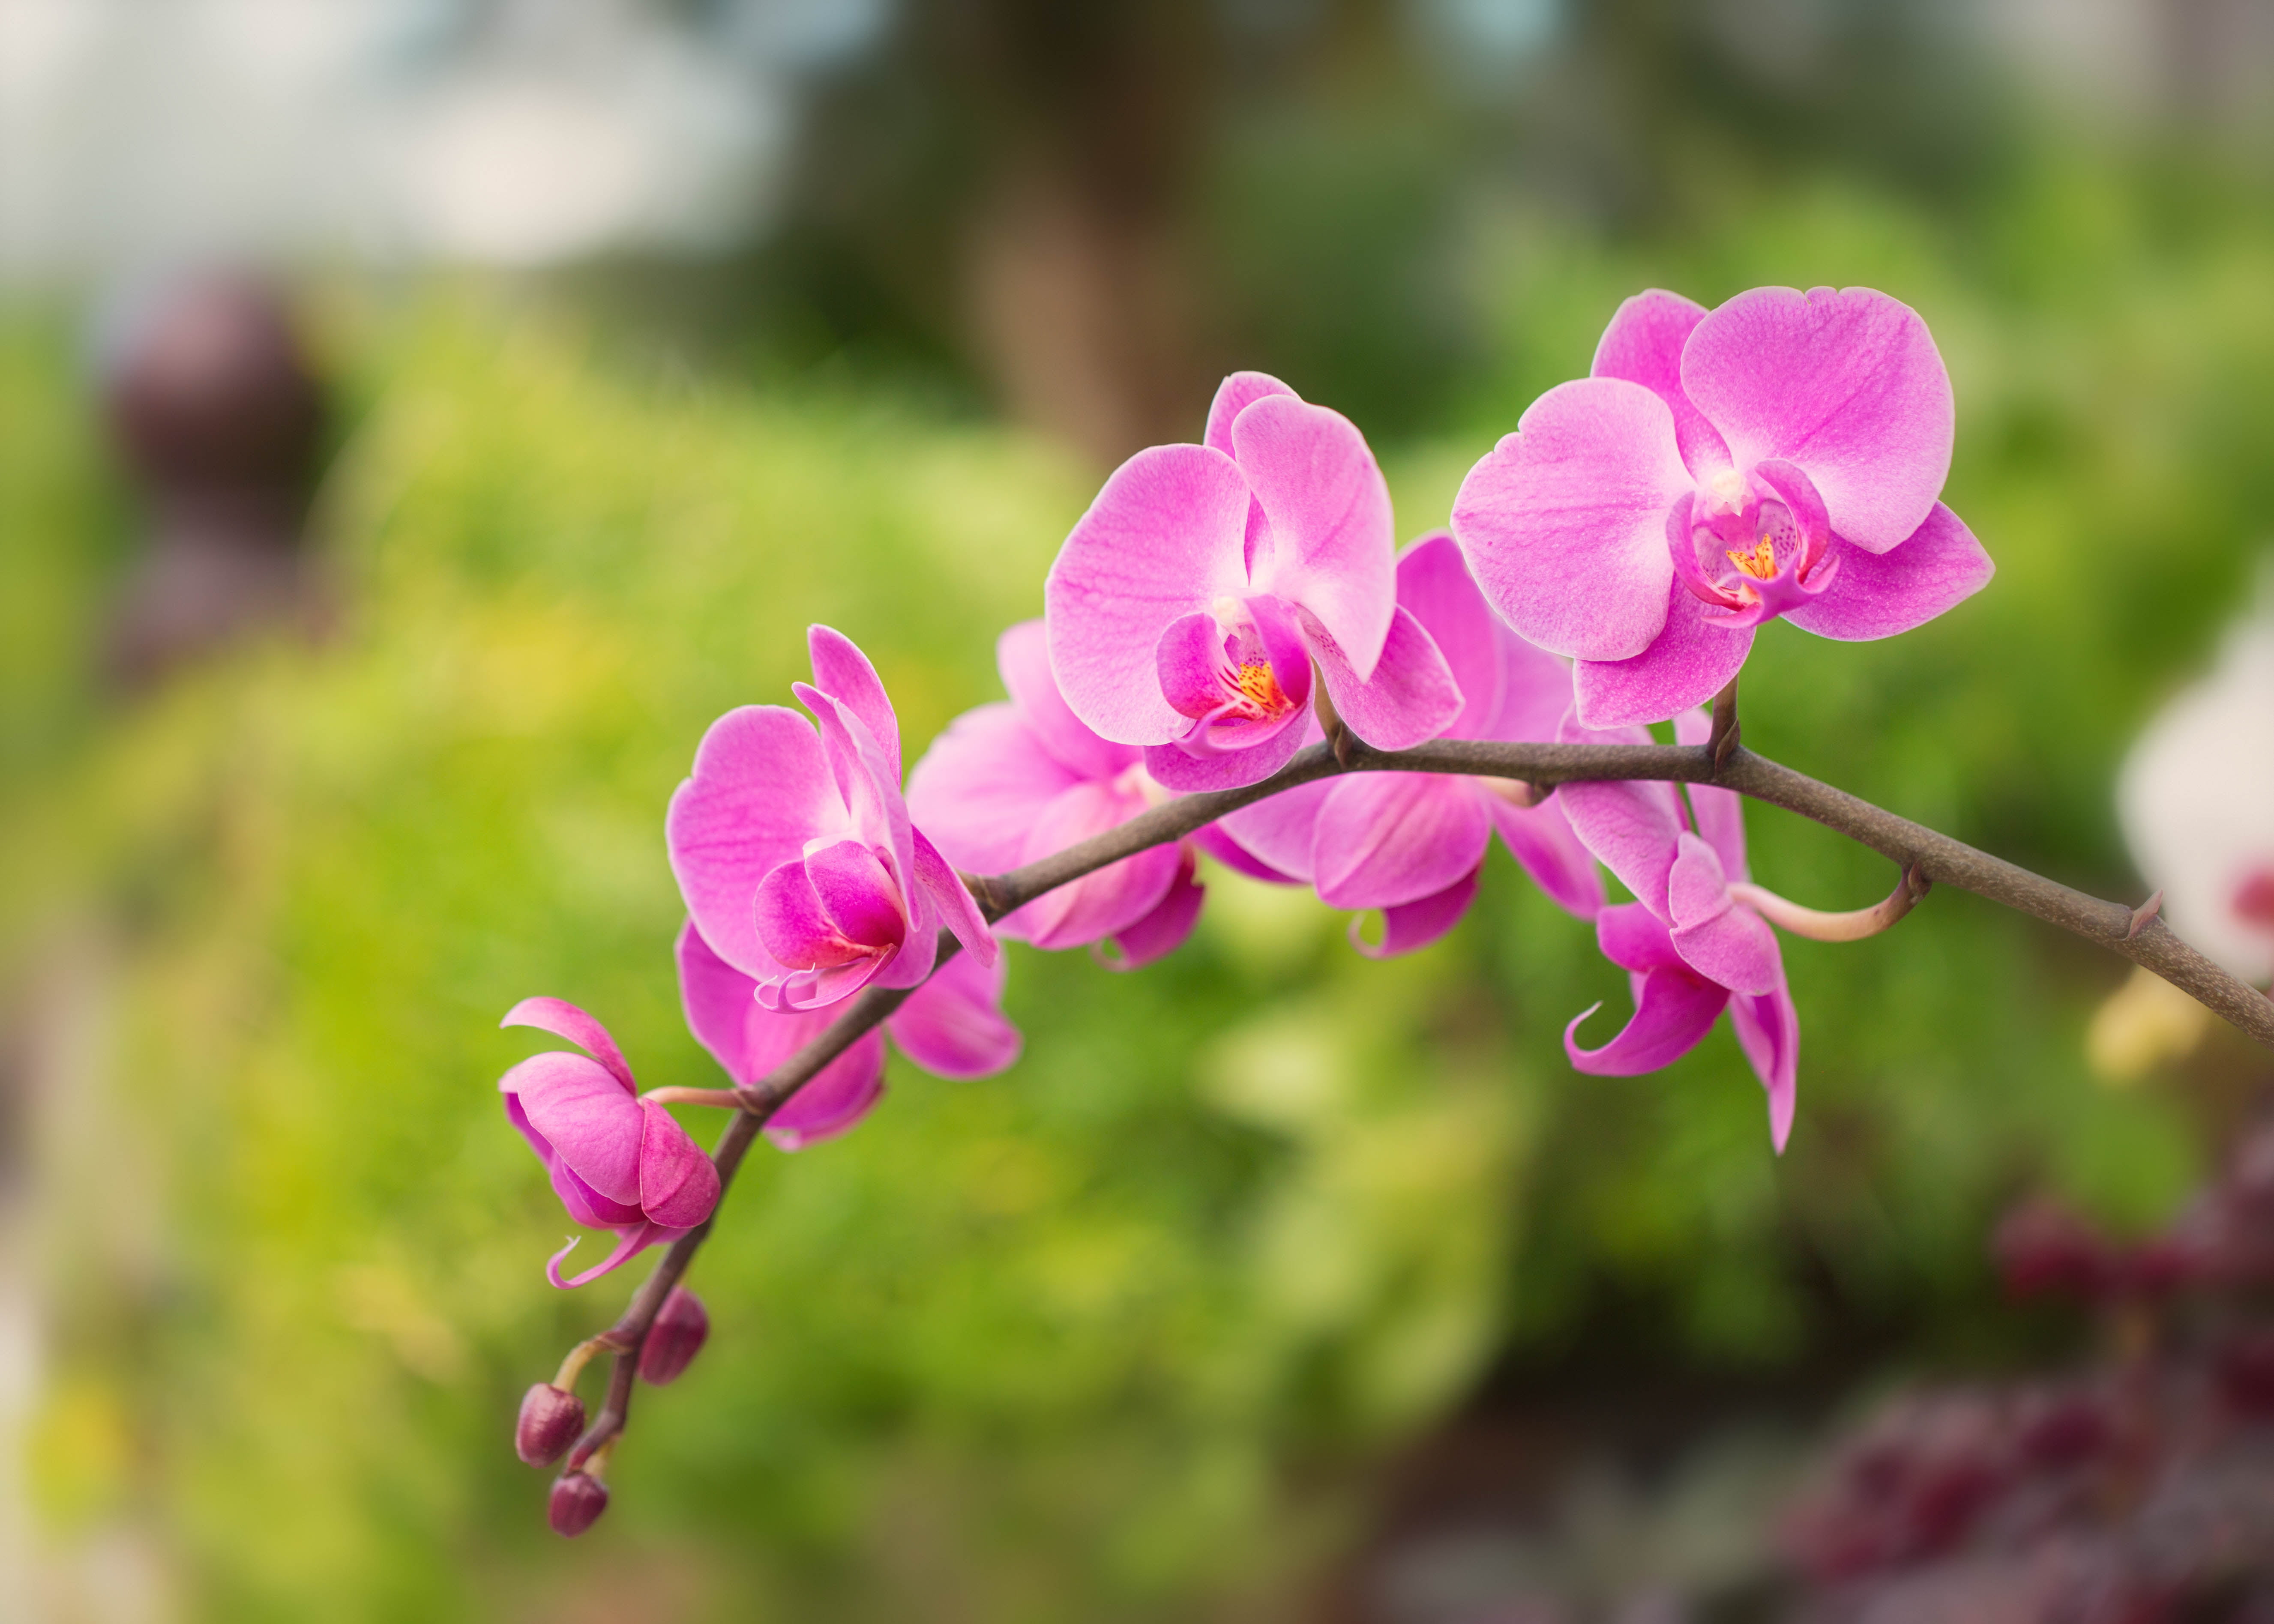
x: 1020, y: 781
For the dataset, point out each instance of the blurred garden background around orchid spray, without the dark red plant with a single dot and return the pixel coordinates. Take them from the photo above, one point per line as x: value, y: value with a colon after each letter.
x: 422, y: 417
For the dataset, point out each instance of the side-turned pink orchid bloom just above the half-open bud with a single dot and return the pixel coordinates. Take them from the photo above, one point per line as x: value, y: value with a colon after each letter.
x: 795, y: 850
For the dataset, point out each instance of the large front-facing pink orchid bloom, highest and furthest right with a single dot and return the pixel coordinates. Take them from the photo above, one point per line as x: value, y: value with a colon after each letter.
x: 1779, y: 456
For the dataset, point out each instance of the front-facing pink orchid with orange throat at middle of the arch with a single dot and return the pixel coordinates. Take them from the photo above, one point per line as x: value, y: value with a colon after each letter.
x: 1193, y: 602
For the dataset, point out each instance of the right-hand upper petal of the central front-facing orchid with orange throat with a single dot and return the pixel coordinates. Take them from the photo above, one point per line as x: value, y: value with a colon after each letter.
x: 1331, y: 531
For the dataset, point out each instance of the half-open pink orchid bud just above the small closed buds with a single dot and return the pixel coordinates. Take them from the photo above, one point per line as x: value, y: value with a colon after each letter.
x: 617, y: 1161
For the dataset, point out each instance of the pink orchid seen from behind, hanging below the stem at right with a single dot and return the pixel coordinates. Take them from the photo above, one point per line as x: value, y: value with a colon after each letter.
x: 1693, y: 943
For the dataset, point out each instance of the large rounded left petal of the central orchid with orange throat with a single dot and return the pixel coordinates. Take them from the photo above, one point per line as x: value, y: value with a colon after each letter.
x: 1165, y: 538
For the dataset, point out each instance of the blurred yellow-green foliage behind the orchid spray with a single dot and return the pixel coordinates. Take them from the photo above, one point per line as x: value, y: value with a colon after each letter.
x: 1106, y: 1336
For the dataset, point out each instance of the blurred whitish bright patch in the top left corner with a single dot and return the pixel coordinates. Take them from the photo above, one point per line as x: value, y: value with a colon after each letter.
x: 140, y: 135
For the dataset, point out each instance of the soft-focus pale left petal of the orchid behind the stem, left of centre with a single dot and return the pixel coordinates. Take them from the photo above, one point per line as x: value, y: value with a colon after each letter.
x: 984, y: 781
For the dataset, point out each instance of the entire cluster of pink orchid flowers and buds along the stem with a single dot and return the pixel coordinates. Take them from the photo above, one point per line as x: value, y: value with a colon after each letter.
x: 1215, y: 611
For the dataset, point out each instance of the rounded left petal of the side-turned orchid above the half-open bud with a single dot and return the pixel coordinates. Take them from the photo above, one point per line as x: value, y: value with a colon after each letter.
x: 758, y: 793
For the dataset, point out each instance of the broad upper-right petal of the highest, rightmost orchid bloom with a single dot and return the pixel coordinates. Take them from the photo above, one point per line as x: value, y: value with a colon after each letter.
x: 1843, y: 383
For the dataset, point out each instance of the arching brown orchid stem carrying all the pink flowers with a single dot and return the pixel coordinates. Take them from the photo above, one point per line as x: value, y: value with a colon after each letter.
x: 1918, y: 850
